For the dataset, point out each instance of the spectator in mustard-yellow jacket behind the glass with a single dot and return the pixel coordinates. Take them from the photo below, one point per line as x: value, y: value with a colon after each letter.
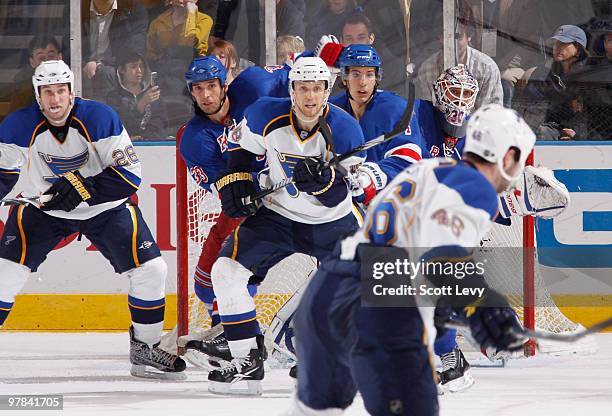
x: 181, y: 25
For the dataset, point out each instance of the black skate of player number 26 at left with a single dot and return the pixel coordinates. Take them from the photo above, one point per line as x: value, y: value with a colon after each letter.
x: 153, y: 362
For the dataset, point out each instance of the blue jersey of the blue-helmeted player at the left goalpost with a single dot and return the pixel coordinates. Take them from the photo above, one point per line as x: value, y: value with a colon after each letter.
x: 204, y: 145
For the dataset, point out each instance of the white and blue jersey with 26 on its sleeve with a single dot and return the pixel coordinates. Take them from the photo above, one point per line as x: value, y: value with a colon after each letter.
x: 94, y: 142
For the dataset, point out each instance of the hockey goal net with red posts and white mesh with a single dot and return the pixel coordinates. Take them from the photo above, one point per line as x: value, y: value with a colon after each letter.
x: 197, y: 210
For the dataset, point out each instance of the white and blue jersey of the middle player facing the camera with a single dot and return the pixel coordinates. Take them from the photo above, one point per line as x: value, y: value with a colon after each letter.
x: 269, y: 129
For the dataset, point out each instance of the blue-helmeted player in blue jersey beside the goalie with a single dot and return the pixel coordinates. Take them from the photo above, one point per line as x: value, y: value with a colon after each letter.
x: 378, y: 112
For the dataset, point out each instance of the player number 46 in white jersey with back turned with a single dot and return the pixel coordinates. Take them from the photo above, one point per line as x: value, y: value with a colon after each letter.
x: 437, y: 208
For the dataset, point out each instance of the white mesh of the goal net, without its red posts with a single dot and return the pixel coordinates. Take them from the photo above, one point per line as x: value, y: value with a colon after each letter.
x: 288, y: 276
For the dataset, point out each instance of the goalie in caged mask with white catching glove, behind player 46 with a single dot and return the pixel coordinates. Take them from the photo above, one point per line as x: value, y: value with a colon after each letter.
x: 443, y: 123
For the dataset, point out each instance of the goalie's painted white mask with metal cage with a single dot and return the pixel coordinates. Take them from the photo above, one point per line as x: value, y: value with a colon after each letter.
x: 454, y: 94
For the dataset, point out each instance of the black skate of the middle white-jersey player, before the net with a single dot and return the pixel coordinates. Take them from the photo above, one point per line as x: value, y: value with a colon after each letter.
x: 249, y: 369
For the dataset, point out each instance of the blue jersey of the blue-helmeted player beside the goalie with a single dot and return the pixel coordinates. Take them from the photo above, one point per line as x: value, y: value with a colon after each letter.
x: 380, y: 117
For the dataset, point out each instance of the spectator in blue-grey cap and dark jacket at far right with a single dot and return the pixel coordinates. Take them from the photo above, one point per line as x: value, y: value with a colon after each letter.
x: 551, y: 84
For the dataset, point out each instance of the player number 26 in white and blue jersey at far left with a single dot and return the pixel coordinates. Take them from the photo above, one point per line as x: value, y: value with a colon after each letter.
x: 78, y: 155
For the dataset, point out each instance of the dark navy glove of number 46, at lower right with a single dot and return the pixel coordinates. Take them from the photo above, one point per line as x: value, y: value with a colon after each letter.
x: 495, y: 324
